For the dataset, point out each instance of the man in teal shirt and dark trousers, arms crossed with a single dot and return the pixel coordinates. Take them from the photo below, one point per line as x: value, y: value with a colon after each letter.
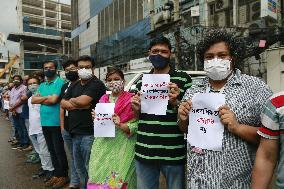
x: 48, y: 95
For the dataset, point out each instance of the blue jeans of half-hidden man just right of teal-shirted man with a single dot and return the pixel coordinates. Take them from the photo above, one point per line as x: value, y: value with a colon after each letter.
x: 75, y: 179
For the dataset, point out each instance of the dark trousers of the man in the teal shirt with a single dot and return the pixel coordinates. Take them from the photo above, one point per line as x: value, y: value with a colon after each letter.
x: 55, y: 145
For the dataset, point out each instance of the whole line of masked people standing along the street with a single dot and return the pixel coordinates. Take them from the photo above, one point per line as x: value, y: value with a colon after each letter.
x: 146, y: 145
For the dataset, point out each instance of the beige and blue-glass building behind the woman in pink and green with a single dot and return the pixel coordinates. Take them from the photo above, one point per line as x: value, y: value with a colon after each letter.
x: 112, y: 31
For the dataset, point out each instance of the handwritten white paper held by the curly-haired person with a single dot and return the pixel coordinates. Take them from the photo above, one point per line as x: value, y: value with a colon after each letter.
x: 205, y: 129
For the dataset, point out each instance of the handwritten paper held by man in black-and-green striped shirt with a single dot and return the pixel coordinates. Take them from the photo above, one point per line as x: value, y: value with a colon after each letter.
x: 155, y: 93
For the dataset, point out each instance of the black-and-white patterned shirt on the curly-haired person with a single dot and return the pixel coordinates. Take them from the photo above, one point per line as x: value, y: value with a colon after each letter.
x: 230, y: 168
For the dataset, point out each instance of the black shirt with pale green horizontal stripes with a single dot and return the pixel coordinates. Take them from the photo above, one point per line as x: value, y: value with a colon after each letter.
x: 159, y: 140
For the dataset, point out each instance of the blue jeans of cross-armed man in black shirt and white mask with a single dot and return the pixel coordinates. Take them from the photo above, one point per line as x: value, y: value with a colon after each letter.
x: 82, y: 145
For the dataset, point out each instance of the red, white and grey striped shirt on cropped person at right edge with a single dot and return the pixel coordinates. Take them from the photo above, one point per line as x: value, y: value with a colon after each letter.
x: 273, y: 128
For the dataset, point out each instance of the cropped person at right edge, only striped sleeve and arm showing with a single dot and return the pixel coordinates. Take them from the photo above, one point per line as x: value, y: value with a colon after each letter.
x: 271, y: 149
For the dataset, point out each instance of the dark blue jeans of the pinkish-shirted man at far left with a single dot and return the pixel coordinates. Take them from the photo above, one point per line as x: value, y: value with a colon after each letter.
x: 19, y: 124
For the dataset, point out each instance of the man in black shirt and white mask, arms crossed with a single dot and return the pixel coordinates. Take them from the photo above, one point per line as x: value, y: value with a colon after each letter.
x: 79, y: 100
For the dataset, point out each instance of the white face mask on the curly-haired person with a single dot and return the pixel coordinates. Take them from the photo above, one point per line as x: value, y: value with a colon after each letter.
x: 217, y: 69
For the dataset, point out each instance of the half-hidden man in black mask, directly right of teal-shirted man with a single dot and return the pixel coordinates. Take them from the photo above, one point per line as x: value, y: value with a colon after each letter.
x: 71, y: 73
